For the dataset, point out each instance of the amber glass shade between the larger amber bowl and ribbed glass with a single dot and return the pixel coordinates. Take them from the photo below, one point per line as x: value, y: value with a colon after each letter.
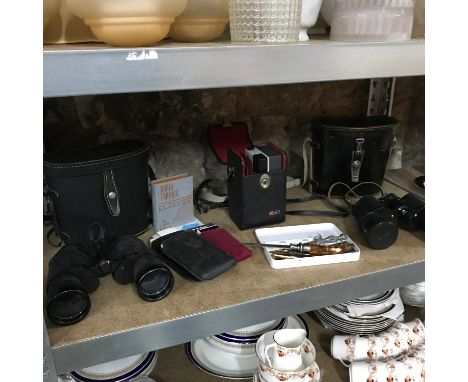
x: 202, y: 20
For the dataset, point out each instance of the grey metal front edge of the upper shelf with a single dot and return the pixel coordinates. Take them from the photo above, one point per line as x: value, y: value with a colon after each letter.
x: 81, y: 69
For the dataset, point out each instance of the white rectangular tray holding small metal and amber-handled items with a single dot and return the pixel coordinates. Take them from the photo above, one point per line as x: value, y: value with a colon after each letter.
x: 302, y: 233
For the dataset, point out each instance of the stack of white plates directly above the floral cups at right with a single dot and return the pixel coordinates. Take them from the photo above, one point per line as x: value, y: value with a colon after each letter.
x: 367, y: 315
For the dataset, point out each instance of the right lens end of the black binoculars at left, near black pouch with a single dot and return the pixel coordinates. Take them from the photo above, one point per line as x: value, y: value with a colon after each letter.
x: 154, y: 283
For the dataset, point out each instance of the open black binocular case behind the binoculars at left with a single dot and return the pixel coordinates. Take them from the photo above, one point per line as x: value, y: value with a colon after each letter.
x: 105, y: 185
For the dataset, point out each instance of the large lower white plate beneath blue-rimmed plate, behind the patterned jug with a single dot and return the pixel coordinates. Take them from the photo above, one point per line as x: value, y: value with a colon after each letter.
x: 216, y: 361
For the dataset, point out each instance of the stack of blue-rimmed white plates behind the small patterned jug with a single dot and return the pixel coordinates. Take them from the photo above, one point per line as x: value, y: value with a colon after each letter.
x: 232, y: 354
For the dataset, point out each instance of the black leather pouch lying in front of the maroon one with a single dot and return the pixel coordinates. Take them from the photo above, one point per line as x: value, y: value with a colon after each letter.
x: 194, y: 257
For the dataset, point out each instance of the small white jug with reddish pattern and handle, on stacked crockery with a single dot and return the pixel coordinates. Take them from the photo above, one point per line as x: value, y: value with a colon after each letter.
x: 285, y: 353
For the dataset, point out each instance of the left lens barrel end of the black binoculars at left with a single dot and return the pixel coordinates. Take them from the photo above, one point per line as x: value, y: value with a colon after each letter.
x: 68, y: 307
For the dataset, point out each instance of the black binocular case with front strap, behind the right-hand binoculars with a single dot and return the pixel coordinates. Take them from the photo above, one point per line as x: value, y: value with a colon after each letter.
x: 350, y: 150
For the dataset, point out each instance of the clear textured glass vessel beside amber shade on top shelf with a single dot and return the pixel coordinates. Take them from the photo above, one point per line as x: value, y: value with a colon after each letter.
x: 265, y: 20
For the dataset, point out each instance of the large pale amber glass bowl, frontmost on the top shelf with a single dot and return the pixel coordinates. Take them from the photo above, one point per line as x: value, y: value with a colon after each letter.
x: 128, y: 22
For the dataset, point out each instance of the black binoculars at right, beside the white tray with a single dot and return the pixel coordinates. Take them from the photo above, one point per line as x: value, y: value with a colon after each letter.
x: 380, y: 219
